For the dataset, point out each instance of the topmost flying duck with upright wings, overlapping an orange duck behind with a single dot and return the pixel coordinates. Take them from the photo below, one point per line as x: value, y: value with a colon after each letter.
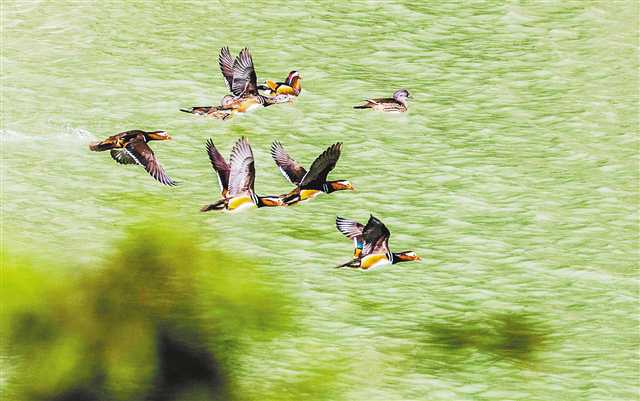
x: 240, y: 78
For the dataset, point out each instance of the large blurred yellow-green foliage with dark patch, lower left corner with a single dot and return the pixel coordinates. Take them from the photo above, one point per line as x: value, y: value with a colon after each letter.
x: 161, y: 319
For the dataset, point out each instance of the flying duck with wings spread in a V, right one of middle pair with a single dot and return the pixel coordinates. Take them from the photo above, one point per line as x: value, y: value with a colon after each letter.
x: 312, y: 183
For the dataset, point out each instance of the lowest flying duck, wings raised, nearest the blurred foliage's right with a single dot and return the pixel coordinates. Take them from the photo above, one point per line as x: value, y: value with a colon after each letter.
x: 371, y: 244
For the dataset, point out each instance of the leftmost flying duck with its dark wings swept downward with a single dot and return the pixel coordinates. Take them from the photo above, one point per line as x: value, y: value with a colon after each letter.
x: 130, y: 147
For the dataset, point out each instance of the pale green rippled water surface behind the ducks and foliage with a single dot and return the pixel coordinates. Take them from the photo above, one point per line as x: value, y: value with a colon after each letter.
x: 514, y: 174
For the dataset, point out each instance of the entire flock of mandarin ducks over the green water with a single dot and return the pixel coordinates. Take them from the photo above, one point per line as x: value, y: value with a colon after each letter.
x: 237, y: 175
